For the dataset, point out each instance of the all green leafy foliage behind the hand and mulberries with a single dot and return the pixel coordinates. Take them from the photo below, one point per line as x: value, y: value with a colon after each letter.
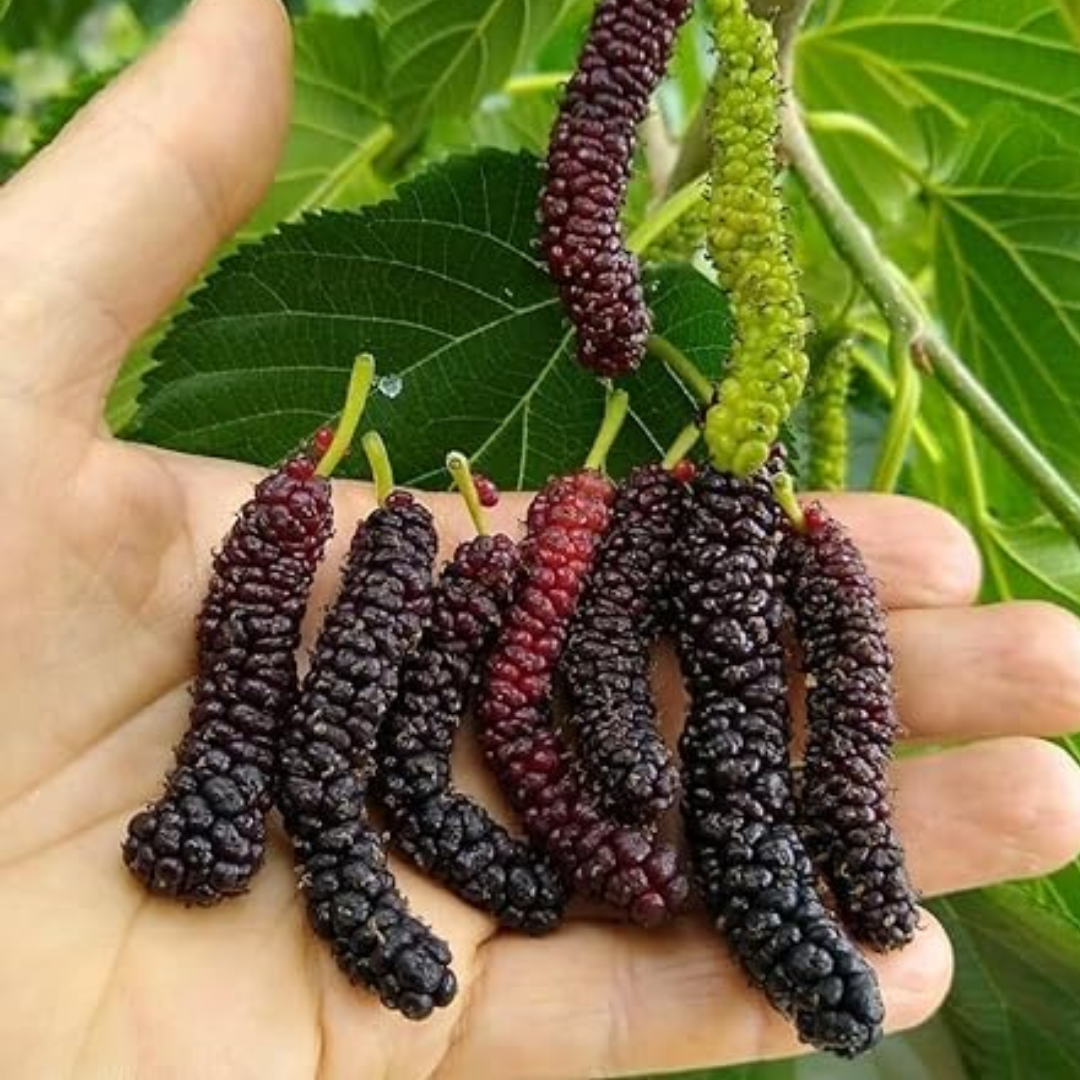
x: 952, y: 126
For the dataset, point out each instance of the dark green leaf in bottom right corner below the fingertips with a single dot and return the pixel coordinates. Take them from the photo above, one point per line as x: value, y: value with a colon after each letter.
x: 1016, y: 1004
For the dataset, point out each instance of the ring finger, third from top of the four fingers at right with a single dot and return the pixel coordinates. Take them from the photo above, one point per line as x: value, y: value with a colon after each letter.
x: 989, y: 813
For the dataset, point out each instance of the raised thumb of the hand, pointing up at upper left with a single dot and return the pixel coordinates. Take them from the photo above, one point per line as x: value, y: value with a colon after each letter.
x: 128, y: 205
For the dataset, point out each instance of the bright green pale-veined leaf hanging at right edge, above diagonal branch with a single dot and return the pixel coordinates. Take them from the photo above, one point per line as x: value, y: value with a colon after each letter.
x: 1008, y: 274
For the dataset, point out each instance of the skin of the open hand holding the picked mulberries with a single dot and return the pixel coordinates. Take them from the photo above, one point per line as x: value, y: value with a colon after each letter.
x: 104, y: 555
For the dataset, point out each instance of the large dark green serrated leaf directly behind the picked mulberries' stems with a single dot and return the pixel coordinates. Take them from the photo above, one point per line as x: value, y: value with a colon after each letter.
x: 444, y: 287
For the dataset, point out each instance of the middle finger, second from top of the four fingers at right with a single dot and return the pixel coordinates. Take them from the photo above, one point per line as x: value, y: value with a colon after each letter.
x: 1007, y: 669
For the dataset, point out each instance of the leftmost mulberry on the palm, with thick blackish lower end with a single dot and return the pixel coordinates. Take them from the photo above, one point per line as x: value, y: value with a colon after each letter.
x: 206, y: 838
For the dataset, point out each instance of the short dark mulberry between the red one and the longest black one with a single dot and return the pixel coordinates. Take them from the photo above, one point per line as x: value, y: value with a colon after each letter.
x: 606, y: 665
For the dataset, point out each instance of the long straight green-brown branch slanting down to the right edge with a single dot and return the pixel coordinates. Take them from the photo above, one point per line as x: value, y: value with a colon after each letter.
x: 856, y: 245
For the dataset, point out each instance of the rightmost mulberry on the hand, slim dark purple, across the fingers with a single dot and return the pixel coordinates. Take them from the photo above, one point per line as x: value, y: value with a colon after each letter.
x: 853, y: 725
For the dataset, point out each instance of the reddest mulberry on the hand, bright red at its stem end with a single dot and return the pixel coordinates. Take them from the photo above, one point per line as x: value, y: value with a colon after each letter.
x: 628, y: 867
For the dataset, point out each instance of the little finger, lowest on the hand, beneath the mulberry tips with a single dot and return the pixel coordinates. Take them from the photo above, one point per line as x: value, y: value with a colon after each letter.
x: 650, y: 1003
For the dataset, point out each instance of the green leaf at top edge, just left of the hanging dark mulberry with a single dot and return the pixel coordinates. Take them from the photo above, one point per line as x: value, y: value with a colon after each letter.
x: 444, y: 58
